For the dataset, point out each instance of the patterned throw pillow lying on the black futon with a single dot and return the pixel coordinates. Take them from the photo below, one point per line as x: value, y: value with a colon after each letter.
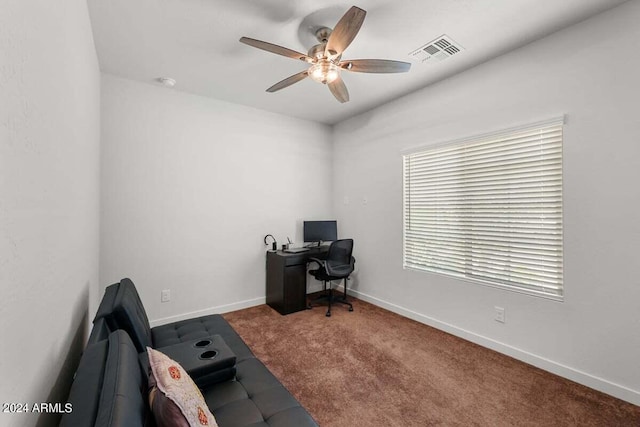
x: 175, y: 384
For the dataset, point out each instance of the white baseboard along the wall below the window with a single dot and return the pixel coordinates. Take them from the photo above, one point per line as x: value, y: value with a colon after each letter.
x: 600, y: 384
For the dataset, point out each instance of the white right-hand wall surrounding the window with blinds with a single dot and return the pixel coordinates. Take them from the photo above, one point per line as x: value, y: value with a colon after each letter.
x: 586, y: 72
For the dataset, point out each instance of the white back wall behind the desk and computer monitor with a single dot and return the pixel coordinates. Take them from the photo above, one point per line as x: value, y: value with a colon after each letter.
x: 190, y: 186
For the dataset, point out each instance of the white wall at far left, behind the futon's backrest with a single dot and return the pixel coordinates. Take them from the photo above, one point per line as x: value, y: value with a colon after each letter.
x: 49, y: 200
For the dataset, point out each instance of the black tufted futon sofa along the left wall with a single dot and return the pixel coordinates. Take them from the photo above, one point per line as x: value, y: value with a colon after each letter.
x: 110, y: 387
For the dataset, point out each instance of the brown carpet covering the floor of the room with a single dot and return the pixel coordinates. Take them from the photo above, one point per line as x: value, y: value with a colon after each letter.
x: 372, y: 367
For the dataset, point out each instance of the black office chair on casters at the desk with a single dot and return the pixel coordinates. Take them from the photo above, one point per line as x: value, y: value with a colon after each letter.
x: 338, y: 265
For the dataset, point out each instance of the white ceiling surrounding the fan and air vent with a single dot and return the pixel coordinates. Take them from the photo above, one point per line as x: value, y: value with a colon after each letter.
x: 196, y: 43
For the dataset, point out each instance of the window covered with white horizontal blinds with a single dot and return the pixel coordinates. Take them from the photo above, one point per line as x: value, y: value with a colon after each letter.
x: 489, y: 209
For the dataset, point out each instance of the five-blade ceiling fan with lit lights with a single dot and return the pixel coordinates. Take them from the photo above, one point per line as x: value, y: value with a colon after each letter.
x: 326, y: 57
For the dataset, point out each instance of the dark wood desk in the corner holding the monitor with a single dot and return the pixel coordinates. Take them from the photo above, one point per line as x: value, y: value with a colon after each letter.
x: 287, y: 279
